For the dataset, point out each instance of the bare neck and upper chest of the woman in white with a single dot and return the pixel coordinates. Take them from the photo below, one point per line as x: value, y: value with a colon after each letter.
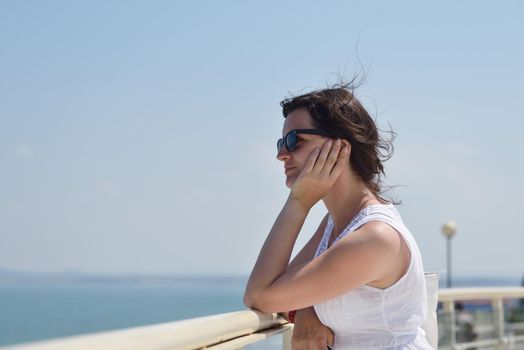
x: 347, y: 197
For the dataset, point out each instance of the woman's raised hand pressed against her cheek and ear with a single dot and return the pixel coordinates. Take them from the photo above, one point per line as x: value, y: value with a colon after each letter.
x: 322, y: 169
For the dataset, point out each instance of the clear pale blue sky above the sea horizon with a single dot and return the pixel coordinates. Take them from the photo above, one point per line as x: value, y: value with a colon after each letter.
x: 139, y: 136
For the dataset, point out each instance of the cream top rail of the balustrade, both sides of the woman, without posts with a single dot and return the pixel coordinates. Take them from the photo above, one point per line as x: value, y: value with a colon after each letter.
x: 222, y: 331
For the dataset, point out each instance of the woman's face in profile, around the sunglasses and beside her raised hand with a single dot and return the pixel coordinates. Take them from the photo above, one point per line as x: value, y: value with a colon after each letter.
x: 294, y: 161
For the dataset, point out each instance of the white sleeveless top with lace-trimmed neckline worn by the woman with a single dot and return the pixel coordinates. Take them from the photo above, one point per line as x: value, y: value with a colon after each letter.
x: 374, y: 318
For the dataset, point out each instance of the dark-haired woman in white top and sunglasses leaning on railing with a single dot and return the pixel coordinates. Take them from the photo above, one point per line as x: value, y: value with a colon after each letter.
x: 359, y: 281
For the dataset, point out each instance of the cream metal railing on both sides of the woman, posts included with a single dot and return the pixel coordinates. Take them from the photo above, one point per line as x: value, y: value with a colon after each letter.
x: 235, y: 330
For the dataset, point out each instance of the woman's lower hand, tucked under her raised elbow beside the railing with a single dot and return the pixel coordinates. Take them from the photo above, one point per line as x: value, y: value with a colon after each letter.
x: 309, y: 333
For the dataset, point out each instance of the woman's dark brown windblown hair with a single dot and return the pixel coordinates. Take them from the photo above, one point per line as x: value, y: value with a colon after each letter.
x: 339, y: 113
